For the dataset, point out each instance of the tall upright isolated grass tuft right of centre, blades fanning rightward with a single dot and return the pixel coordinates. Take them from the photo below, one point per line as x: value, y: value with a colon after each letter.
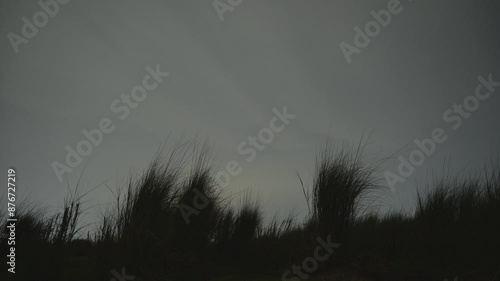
x: 340, y: 184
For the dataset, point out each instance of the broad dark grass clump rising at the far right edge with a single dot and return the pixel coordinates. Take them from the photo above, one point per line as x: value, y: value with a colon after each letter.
x: 457, y: 217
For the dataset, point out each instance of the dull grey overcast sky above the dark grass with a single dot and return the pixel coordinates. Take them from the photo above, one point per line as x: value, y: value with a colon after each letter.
x: 227, y: 76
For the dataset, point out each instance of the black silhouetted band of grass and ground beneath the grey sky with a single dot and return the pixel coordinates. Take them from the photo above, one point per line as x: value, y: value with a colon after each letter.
x: 454, y: 230
